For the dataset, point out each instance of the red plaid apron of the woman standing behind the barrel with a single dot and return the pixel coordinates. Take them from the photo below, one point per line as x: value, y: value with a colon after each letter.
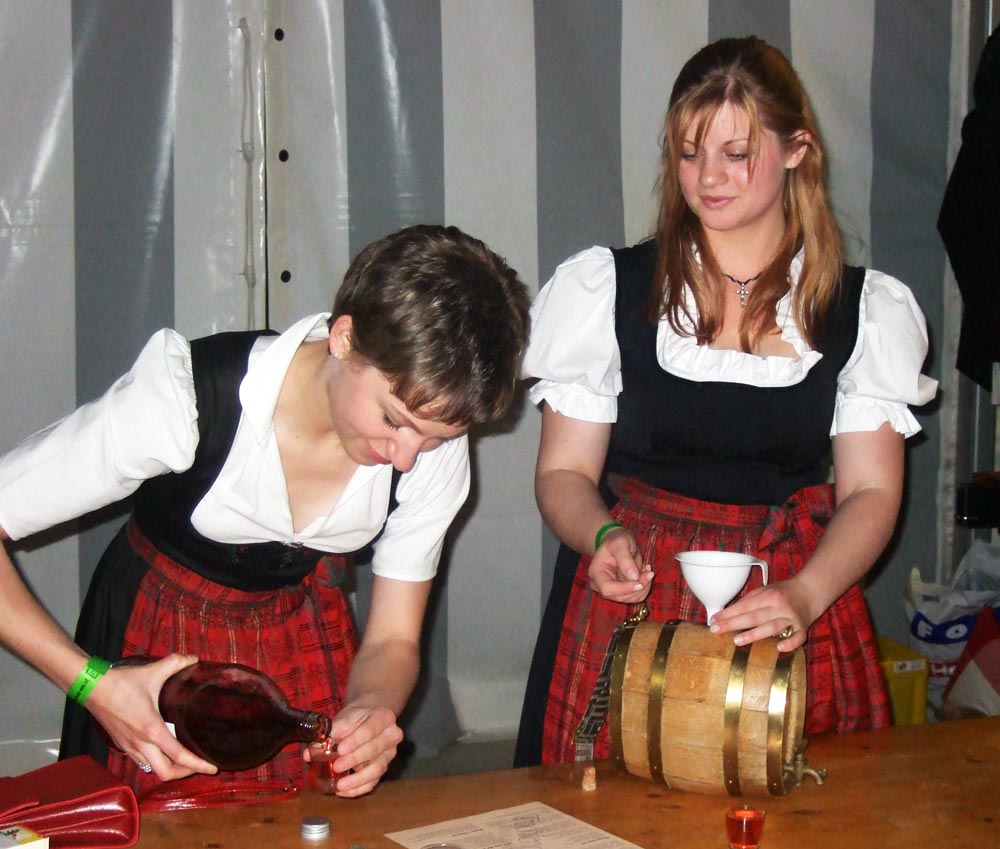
x: 846, y: 689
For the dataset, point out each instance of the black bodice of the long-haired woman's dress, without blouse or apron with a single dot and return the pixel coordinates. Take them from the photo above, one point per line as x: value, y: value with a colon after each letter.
x: 718, y: 441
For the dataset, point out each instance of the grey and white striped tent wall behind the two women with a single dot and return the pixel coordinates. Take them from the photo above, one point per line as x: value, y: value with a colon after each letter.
x: 210, y: 165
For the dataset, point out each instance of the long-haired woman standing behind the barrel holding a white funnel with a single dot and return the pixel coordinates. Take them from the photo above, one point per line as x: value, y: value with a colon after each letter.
x: 696, y: 388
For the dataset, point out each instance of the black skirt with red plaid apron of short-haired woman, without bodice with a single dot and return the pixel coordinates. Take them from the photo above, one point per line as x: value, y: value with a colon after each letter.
x: 145, y: 603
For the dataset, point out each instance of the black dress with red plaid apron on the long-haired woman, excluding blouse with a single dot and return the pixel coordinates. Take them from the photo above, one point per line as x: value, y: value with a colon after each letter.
x: 711, y: 465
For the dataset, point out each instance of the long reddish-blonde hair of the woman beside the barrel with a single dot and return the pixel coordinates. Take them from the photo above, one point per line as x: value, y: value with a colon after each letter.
x: 753, y: 76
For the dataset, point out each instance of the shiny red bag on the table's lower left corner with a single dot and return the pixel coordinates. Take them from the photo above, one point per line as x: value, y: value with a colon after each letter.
x: 76, y: 803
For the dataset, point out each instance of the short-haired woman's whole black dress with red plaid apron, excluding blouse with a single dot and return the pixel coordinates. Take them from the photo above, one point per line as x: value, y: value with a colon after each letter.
x: 162, y: 587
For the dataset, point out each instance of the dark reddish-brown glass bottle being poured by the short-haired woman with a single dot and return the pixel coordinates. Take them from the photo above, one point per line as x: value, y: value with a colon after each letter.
x: 233, y: 715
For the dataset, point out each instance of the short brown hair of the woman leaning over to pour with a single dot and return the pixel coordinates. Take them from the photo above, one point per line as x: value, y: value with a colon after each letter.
x: 442, y: 317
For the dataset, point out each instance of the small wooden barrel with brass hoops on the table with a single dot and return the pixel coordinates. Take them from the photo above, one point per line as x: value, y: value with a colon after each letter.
x: 694, y: 710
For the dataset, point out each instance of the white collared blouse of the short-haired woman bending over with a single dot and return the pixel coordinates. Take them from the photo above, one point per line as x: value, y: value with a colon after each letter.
x: 146, y: 424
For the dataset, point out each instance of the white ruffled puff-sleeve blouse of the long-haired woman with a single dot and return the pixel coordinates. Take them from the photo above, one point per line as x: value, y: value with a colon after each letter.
x: 574, y: 353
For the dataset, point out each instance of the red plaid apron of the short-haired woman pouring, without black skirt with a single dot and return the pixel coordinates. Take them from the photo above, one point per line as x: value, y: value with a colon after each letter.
x: 302, y: 636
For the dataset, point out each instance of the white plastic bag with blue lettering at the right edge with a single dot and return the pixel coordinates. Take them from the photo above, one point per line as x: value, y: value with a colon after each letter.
x: 941, y: 616
